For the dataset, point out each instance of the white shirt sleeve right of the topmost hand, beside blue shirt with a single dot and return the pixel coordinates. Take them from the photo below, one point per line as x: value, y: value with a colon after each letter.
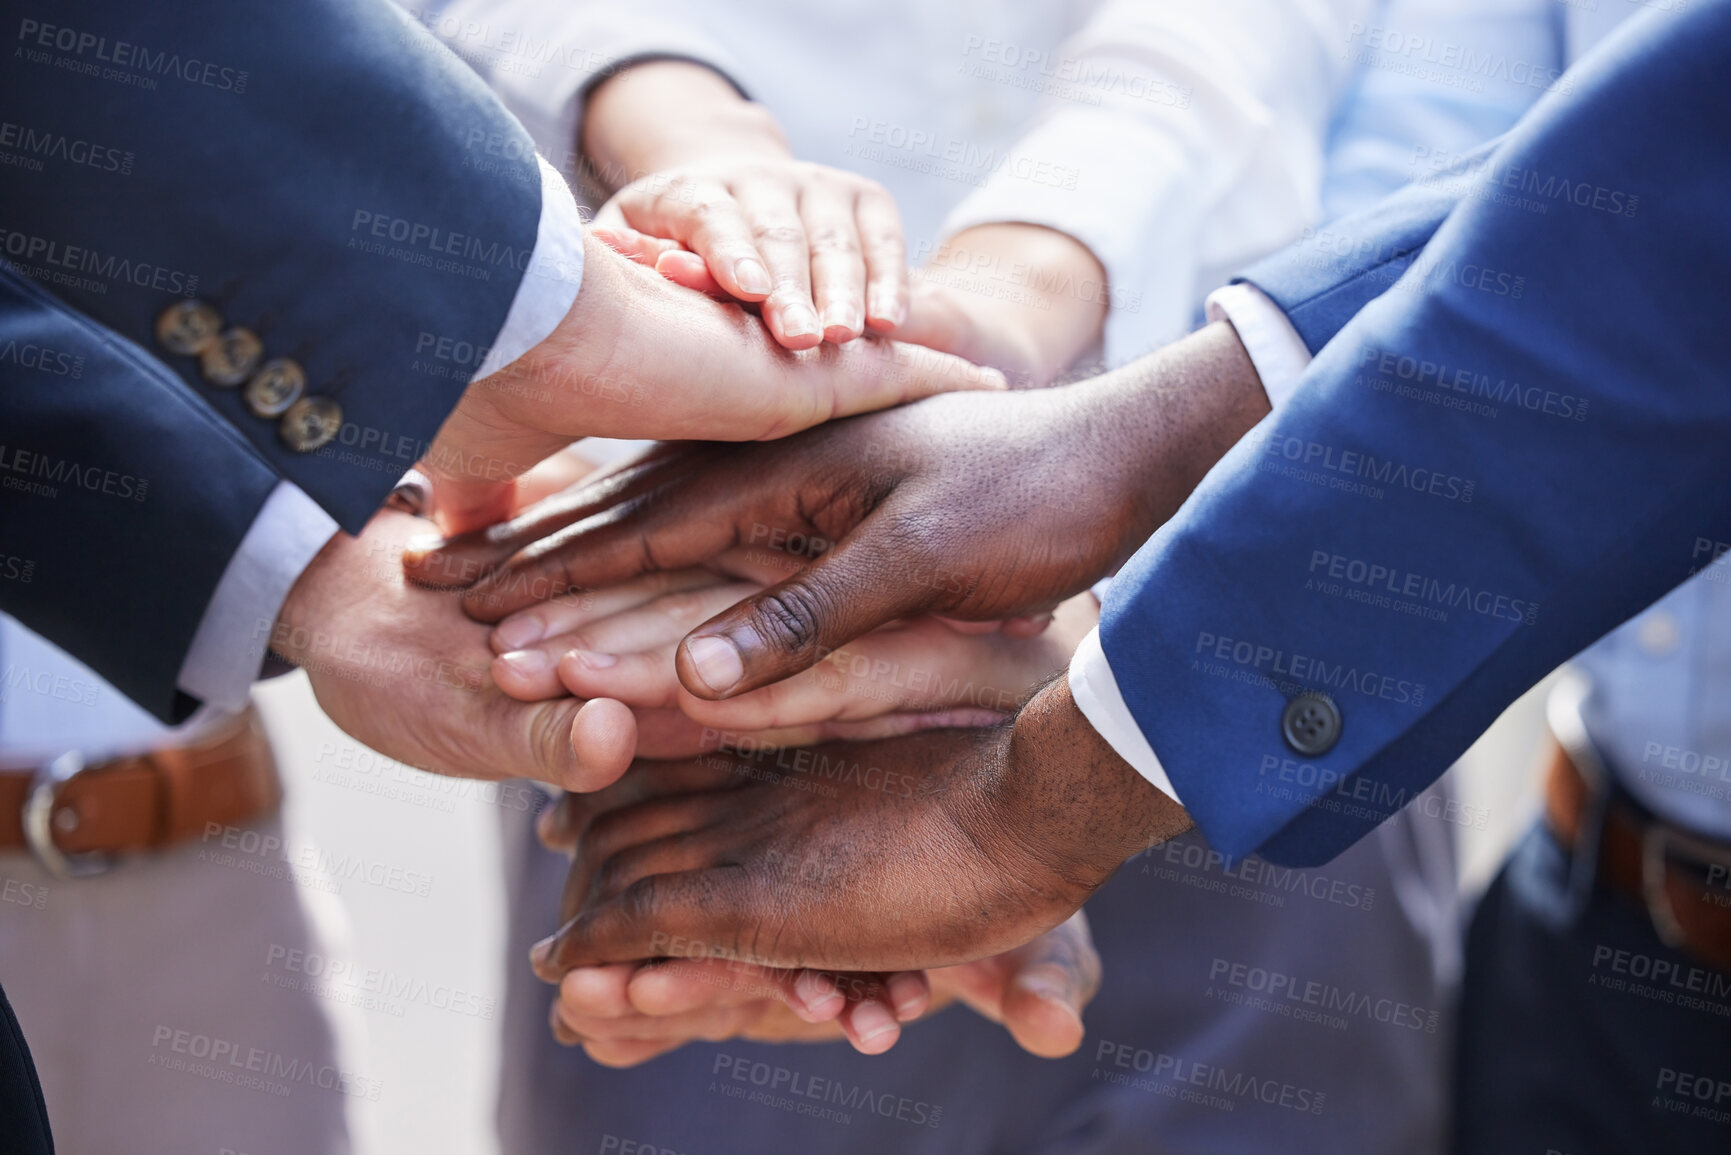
x: 1197, y: 150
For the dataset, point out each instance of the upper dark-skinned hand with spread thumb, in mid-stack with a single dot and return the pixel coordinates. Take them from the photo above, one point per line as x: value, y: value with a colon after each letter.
x: 975, y: 507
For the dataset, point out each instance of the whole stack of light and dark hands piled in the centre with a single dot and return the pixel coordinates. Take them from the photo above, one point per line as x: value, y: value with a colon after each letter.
x: 799, y: 666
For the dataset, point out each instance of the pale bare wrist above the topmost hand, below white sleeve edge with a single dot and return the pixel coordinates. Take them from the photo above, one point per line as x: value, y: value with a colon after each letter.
x: 664, y: 113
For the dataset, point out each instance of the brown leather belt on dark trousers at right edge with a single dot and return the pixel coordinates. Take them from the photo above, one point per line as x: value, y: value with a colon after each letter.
x: 1682, y: 879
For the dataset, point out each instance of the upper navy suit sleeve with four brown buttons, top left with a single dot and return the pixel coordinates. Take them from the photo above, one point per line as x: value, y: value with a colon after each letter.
x: 323, y: 172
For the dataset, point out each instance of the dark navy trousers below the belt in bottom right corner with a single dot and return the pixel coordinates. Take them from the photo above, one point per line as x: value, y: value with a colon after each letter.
x: 1581, y: 1031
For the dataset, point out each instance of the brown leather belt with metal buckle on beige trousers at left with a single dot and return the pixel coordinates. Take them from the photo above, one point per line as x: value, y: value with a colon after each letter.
x: 77, y: 816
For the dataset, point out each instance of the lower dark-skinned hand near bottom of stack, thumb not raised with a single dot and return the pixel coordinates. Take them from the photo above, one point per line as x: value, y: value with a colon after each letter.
x: 915, y: 853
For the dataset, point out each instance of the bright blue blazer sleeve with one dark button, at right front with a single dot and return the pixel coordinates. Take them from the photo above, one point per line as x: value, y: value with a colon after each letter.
x: 1500, y: 460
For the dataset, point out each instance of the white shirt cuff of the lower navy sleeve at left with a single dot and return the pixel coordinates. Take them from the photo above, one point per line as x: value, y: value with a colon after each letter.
x: 231, y: 642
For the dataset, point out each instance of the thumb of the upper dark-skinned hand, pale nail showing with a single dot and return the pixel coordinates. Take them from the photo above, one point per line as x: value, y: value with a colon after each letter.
x: 790, y: 628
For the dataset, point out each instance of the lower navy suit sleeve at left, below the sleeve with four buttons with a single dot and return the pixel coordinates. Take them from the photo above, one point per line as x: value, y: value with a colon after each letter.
x: 122, y: 496
